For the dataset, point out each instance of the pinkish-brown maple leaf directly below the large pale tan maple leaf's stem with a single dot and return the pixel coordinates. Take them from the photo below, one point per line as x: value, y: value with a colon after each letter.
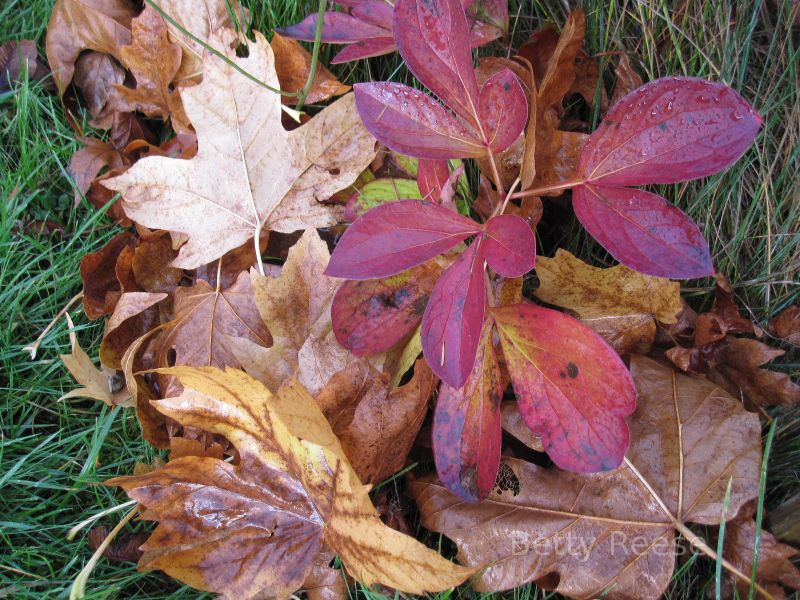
x: 204, y: 318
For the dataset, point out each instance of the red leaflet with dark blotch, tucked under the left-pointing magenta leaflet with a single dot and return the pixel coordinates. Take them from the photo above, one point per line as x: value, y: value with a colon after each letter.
x: 372, y: 316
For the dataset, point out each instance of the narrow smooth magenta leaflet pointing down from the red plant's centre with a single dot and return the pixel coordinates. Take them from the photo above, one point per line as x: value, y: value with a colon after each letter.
x: 452, y: 323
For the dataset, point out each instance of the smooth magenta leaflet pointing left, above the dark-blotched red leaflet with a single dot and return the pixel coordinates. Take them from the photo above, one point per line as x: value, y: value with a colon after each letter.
x: 396, y: 236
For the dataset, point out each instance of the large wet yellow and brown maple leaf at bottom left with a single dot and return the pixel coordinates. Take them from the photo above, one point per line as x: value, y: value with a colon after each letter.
x: 227, y: 528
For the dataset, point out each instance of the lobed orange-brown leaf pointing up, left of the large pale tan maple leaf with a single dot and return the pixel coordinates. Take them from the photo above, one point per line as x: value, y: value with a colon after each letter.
x: 154, y: 62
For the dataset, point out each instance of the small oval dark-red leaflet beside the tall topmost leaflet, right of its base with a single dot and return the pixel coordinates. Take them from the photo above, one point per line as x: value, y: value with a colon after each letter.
x: 503, y: 109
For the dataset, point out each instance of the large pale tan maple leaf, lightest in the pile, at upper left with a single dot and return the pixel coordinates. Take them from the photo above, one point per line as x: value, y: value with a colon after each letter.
x: 249, y: 173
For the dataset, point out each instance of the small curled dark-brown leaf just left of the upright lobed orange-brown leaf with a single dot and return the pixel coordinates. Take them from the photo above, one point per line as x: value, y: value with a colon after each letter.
x: 96, y: 74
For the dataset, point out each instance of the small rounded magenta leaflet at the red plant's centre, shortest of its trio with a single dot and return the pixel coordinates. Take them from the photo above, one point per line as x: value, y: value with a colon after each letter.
x: 510, y: 245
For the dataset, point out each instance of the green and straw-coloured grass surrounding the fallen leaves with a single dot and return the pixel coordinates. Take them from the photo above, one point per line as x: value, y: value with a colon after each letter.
x: 54, y: 455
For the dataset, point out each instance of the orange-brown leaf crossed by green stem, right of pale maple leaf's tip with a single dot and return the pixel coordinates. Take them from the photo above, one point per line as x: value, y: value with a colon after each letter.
x: 293, y: 63
